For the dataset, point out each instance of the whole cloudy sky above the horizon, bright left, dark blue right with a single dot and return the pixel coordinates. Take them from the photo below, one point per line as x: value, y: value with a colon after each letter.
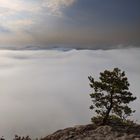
x: 79, y: 23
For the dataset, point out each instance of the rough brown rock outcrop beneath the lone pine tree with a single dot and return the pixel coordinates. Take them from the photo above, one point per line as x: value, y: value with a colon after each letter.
x: 92, y: 132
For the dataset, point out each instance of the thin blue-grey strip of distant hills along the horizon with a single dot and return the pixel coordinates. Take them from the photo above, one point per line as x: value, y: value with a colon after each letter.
x: 67, y: 47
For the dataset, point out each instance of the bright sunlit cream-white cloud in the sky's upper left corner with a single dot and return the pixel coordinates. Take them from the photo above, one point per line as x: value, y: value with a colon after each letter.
x: 22, y: 13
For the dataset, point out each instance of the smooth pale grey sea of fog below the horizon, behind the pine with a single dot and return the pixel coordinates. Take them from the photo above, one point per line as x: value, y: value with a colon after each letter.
x: 45, y: 90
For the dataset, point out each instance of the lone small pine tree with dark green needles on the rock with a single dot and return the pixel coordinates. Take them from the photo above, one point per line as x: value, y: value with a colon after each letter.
x: 111, y: 96
